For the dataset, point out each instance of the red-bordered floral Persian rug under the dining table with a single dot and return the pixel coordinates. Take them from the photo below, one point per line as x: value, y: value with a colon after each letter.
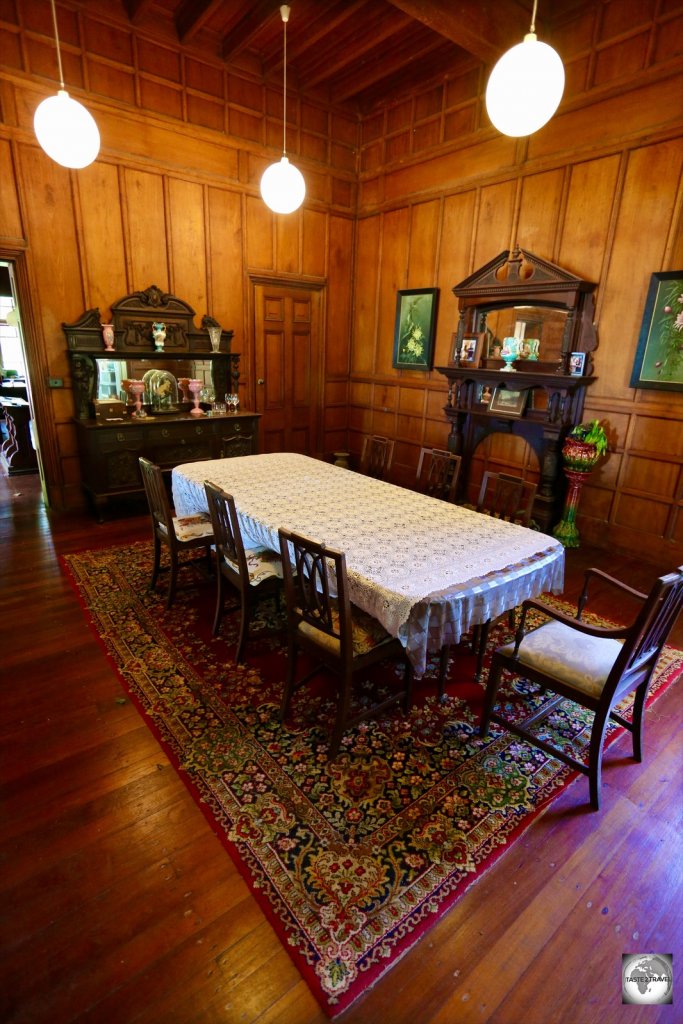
x: 354, y: 861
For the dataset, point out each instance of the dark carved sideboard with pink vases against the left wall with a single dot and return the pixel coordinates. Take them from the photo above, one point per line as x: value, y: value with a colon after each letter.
x: 110, y: 448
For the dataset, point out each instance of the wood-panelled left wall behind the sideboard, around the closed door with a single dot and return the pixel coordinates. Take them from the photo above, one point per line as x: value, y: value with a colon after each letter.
x: 173, y: 200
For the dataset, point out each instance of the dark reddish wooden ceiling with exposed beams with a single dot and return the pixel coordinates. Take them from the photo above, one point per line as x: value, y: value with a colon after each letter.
x: 358, y: 54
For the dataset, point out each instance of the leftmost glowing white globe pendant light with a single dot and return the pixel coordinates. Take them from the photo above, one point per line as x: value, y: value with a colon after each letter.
x: 65, y: 130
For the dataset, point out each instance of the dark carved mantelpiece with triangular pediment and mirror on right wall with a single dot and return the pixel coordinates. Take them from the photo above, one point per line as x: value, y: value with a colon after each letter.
x: 519, y: 288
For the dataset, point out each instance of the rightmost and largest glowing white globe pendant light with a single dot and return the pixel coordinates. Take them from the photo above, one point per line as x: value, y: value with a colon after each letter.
x: 526, y: 87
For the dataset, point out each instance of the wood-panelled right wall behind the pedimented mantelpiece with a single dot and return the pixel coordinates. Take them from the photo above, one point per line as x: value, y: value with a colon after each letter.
x: 599, y: 191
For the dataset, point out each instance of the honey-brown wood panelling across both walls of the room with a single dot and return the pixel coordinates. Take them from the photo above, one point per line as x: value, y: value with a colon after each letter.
x: 418, y: 195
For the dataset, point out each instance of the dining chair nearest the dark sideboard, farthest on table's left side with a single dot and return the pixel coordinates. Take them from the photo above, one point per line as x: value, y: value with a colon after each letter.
x: 177, y: 534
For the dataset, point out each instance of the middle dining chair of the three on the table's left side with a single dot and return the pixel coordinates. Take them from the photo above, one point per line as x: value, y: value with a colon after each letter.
x: 253, y: 573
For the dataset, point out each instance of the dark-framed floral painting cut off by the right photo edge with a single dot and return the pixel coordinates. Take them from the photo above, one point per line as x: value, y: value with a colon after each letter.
x: 659, y: 362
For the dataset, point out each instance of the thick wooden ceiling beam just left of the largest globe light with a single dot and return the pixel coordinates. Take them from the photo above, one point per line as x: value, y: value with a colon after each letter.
x: 485, y: 28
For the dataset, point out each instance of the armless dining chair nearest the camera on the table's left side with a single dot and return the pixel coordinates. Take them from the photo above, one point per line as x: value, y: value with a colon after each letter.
x: 339, y: 636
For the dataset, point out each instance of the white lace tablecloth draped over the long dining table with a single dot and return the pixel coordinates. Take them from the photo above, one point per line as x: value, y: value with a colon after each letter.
x: 428, y: 570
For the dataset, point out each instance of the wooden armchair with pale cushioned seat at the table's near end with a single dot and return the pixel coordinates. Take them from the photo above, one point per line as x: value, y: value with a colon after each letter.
x: 595, y: 667
